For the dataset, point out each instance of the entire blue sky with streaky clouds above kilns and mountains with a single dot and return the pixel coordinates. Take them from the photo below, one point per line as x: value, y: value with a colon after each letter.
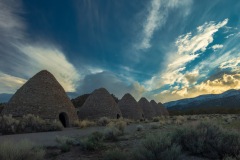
x: 160, y: 49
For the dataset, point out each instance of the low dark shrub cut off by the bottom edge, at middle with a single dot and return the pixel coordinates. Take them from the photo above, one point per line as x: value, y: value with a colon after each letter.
x: 115, y: 154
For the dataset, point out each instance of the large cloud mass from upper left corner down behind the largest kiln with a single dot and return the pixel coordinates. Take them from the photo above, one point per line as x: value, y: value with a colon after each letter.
x: 28, y: 59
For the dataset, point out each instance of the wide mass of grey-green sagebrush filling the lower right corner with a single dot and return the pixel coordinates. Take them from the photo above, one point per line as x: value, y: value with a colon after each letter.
x: 200, y: 140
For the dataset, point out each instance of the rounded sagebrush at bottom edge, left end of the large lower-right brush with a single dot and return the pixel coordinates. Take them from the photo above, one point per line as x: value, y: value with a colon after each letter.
x: 157, y: 147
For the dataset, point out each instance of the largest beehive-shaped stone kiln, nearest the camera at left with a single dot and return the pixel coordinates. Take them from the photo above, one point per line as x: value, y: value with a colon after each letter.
x: 41, y: 95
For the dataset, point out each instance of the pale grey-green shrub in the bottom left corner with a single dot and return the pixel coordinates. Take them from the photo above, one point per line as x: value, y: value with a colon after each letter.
x: 23, y: 150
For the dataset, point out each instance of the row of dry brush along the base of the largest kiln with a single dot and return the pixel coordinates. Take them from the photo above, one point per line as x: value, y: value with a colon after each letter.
x: 27, y: 124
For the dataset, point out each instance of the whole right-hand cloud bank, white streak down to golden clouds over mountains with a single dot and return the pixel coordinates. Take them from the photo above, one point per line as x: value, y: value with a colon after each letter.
x: 187, y: 72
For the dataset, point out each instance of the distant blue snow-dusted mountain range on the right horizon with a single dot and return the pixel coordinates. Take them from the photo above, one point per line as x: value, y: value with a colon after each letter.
x: 230, y: 99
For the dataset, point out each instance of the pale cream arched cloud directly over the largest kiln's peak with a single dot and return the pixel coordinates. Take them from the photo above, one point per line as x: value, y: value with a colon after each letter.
x: 53, y: 60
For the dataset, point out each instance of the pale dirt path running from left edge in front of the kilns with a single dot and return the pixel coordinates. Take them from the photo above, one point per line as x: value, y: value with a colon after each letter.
x: 48, y: 138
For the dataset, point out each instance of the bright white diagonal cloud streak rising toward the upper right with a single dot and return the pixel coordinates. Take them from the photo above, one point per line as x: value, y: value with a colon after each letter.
x: 189, y: 47
